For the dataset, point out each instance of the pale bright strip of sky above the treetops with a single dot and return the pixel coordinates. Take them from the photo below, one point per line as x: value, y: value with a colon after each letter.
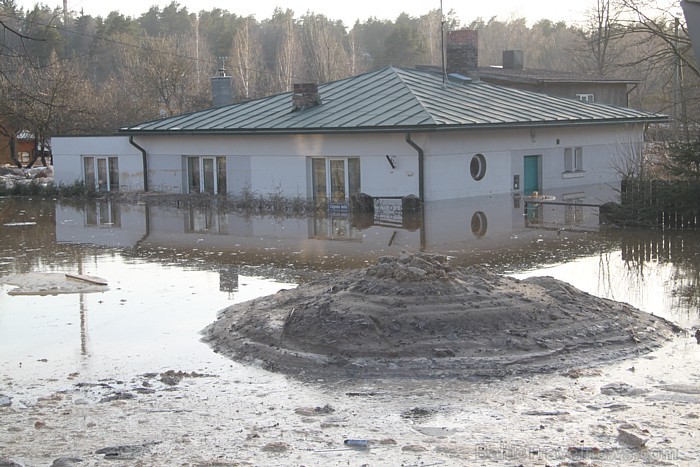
x: 348, y: 11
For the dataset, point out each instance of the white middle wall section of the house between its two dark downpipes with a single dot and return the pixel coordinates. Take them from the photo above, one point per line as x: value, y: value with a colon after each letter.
x: 279, y: 164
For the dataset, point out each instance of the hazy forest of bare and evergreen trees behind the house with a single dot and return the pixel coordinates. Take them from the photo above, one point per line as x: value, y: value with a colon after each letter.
x: 70, y: 73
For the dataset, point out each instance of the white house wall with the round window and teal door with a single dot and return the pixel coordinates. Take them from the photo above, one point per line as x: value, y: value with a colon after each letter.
x: 449, y: 156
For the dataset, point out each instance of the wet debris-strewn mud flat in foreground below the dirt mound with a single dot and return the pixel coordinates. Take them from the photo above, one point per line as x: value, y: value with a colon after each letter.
x: 246, y: 416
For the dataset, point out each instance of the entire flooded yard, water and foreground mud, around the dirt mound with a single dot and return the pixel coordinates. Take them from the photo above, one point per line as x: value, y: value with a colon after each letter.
x: 123, y: 375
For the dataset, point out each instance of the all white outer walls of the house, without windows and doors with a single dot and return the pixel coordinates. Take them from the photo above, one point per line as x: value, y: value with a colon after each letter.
x: 280, y: 164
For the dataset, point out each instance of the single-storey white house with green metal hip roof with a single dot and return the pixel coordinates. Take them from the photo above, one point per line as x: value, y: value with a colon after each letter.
x: 387, y: 133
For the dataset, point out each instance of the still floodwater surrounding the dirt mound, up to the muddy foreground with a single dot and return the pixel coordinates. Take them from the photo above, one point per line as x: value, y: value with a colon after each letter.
x: 170, y: 270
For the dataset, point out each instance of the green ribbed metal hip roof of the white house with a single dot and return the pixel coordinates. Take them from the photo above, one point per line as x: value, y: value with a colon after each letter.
x: 396, y: 99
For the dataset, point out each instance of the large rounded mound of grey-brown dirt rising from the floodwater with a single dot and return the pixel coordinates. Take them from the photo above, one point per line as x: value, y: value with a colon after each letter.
x: 414, y: 315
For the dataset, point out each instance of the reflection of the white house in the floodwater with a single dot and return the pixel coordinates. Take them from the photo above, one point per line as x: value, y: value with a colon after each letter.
x: 464, y: 224
